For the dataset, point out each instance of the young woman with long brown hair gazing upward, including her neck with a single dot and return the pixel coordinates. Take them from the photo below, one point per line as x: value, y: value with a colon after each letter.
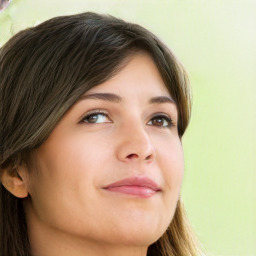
x: 92, y: 114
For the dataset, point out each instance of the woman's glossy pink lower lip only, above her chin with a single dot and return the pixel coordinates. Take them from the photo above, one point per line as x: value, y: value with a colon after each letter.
x: 137, y: 191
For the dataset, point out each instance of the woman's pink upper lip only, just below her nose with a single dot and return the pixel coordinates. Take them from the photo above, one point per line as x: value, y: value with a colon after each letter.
x: 135, y: 181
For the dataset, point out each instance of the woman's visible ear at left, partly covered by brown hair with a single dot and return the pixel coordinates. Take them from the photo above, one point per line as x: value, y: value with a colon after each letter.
x: 14, y: 181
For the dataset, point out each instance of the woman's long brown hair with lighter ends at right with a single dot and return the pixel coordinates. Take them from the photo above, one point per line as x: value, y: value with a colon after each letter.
x: 43, y: 72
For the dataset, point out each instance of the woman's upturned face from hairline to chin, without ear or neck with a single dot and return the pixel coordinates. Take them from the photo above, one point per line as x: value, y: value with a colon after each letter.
x: 111, y: 170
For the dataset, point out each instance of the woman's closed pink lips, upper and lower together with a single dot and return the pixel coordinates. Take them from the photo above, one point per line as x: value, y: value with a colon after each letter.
x: 137, y: 186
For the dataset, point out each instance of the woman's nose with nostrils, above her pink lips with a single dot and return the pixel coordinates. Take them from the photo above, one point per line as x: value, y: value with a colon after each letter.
x: 135, y: 145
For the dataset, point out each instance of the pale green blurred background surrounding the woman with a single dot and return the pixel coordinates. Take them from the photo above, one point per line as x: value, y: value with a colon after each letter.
x: 216, y: 41
